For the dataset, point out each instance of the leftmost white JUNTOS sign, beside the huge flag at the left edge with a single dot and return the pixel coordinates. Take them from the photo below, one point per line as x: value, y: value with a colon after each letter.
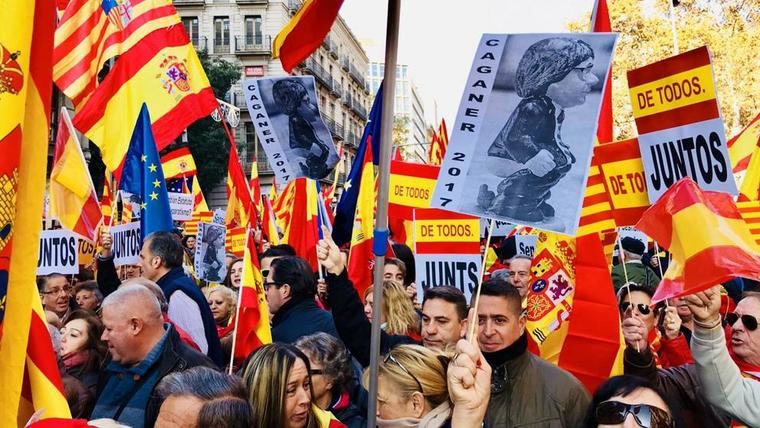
x: 59, y: 253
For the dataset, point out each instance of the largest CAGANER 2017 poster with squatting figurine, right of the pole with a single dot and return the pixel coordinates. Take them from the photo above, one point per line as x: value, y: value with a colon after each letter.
x: 521, y: 145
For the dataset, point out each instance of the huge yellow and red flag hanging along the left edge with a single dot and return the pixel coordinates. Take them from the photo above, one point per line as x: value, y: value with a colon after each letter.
x: 29, y: 376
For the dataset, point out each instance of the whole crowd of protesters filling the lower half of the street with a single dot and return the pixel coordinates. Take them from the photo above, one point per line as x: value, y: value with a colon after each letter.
x: 149, y: 345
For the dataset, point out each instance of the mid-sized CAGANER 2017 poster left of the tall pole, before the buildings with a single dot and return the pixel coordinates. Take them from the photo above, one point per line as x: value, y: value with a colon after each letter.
x: 285, y: 113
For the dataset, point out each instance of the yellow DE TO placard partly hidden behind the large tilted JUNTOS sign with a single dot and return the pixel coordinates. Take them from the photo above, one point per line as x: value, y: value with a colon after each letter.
x: 626, y: 183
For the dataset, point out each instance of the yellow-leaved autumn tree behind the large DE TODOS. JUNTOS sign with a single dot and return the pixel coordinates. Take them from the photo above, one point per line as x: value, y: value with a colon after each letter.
x: 729, y: 28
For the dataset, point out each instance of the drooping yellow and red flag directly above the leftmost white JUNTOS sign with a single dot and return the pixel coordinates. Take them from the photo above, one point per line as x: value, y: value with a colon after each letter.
x: 73, y: 200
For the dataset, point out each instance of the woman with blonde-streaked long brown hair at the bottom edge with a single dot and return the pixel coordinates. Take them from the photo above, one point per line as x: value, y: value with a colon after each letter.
x: 279, y: 387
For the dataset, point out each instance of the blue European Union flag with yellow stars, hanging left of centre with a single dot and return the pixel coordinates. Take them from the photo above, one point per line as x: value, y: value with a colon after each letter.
x: 142, y: 176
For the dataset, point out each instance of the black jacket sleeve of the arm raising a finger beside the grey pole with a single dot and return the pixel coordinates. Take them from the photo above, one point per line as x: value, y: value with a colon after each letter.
x: 354, y: 328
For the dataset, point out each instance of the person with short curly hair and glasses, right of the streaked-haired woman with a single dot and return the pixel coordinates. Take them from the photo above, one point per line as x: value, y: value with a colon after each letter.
x: 332, y: 377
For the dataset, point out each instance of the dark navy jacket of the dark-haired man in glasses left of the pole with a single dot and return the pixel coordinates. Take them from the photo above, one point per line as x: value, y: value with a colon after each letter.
x: 296, y: 319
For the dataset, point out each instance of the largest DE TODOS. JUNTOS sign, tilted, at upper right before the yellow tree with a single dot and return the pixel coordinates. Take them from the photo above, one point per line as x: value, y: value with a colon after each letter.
x: 680, y: 127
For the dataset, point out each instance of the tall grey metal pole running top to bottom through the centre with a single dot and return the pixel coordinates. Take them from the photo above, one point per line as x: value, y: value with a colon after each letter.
x: 380, y: 238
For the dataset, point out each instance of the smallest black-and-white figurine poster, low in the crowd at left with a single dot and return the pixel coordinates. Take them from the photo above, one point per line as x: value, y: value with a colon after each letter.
x: 209, y: 252
